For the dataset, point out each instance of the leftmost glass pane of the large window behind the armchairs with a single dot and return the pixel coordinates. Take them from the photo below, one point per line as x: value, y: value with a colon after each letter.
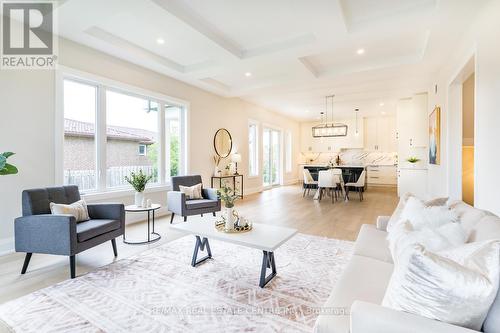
x: 79, y: 164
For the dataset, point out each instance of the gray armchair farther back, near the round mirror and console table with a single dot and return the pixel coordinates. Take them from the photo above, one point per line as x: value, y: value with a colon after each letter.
x: 177, y: 203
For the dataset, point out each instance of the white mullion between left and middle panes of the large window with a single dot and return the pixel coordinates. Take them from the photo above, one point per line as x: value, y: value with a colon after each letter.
x: 101, y: 138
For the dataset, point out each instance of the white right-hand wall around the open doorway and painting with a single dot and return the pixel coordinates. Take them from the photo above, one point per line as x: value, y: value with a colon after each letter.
x: 482, y: 42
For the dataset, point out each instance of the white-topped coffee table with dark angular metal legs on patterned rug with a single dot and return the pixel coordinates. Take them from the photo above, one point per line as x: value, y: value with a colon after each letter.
x: 266, y: 238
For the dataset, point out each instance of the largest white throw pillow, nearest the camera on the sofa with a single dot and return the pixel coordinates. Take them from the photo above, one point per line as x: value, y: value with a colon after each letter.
x: 456, y: 286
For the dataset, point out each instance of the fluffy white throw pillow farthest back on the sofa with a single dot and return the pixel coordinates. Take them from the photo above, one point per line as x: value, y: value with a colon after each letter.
x: 422, y: 216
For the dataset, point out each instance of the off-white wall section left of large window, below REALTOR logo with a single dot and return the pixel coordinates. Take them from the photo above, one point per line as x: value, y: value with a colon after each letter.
x: 26, y: 128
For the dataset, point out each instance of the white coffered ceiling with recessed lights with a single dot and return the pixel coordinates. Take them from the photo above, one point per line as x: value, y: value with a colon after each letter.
x: 297, y: 51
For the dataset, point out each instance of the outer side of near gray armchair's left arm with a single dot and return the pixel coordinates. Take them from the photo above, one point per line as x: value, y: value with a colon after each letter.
x: 46, y: 233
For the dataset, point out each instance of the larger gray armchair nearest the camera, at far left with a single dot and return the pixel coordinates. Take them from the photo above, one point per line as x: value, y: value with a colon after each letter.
x: 38, y: 231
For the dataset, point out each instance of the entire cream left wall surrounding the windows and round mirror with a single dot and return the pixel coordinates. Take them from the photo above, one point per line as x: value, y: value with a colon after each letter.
x: 27, y: 106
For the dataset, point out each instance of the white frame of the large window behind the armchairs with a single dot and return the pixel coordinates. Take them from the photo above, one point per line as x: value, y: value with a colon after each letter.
x: 104, y: 84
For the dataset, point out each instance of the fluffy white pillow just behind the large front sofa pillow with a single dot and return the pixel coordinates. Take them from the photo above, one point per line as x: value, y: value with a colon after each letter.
x: 403, y: 235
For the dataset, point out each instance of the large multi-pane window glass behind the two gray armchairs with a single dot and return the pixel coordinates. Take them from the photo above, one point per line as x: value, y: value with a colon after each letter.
x: 109, y: 133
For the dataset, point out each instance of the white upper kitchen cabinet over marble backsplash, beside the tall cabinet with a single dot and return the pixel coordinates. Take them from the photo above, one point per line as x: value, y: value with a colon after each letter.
x: 380, y: 134
